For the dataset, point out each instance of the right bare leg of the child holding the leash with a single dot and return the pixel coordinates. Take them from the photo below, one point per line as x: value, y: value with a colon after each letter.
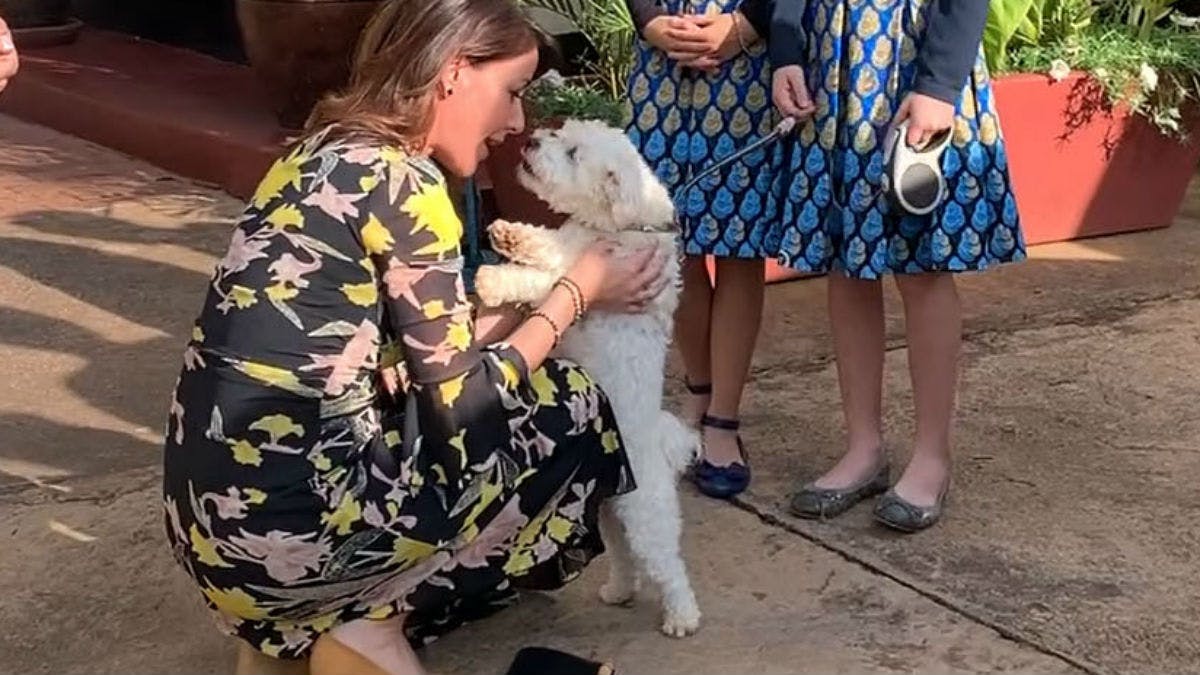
x: 934, y: 321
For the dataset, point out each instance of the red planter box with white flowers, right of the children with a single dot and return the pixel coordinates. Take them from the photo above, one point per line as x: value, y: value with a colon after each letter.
x: 1083, y: 169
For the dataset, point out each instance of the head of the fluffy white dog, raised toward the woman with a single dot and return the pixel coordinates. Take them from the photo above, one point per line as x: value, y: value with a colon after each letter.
x: 593, y: 174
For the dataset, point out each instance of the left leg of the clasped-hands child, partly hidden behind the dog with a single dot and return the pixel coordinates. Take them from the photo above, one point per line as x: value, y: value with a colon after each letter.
x: 692, y: 332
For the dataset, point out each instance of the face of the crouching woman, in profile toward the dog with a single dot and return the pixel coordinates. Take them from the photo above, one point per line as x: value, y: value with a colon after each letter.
x: 479, y: 106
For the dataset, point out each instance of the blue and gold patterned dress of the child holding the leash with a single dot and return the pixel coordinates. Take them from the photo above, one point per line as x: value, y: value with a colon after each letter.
x: 861, y: 64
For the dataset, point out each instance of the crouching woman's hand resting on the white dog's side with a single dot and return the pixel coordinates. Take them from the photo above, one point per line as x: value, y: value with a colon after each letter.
x: 620, y: 283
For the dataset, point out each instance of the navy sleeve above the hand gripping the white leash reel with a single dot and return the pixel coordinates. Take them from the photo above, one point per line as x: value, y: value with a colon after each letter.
x: 949, y: 53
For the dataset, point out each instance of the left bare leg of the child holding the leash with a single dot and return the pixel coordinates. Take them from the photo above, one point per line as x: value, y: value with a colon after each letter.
x: 856, y: 316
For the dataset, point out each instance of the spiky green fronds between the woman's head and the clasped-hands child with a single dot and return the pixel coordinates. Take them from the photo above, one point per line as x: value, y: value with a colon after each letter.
x: 609, y: 27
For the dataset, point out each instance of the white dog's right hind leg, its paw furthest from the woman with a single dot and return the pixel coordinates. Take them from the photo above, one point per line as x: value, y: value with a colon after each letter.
x: 653, y: 528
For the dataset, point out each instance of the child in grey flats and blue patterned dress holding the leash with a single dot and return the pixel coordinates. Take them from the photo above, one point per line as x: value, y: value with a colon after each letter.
x: 856, y: 69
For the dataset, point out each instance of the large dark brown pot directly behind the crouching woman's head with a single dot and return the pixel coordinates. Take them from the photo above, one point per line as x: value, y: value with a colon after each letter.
x: 302, y: 50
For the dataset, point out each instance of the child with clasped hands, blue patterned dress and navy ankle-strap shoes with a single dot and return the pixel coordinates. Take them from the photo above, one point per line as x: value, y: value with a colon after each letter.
x: 699, y: 93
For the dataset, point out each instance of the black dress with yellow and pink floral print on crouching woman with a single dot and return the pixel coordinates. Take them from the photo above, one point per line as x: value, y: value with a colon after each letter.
x: 339, y: 447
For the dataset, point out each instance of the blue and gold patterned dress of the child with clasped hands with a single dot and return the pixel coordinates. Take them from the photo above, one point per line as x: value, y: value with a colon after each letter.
x: 683, y: 121
